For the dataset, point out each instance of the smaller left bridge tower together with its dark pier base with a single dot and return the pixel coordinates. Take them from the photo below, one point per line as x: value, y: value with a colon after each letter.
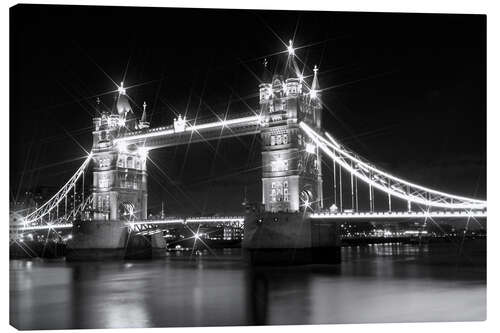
x: 119, y: 191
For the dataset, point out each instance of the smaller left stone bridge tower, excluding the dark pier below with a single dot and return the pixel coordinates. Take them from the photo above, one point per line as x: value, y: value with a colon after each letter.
x: 119, y: 170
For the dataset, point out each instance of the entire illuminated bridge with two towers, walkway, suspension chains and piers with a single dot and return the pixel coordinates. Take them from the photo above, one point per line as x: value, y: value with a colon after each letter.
x: 294, y: 144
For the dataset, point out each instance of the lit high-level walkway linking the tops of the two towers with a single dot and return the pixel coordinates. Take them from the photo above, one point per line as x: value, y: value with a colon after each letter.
x: 167, y: 136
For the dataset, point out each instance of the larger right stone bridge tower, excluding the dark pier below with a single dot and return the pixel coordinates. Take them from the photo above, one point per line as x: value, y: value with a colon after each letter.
x: 291, y: 173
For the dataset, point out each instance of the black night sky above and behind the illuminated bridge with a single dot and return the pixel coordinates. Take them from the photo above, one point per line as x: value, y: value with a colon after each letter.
x: 405, y: 91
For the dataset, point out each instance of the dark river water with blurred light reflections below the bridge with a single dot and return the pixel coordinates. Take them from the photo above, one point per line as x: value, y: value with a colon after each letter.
x: 377, y: 283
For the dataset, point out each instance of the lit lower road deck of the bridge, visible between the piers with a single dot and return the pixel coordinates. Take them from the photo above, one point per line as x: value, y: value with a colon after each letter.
x: 239, y: 220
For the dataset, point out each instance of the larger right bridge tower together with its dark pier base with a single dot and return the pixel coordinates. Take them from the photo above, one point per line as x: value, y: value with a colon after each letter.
x: 292, y: 186
